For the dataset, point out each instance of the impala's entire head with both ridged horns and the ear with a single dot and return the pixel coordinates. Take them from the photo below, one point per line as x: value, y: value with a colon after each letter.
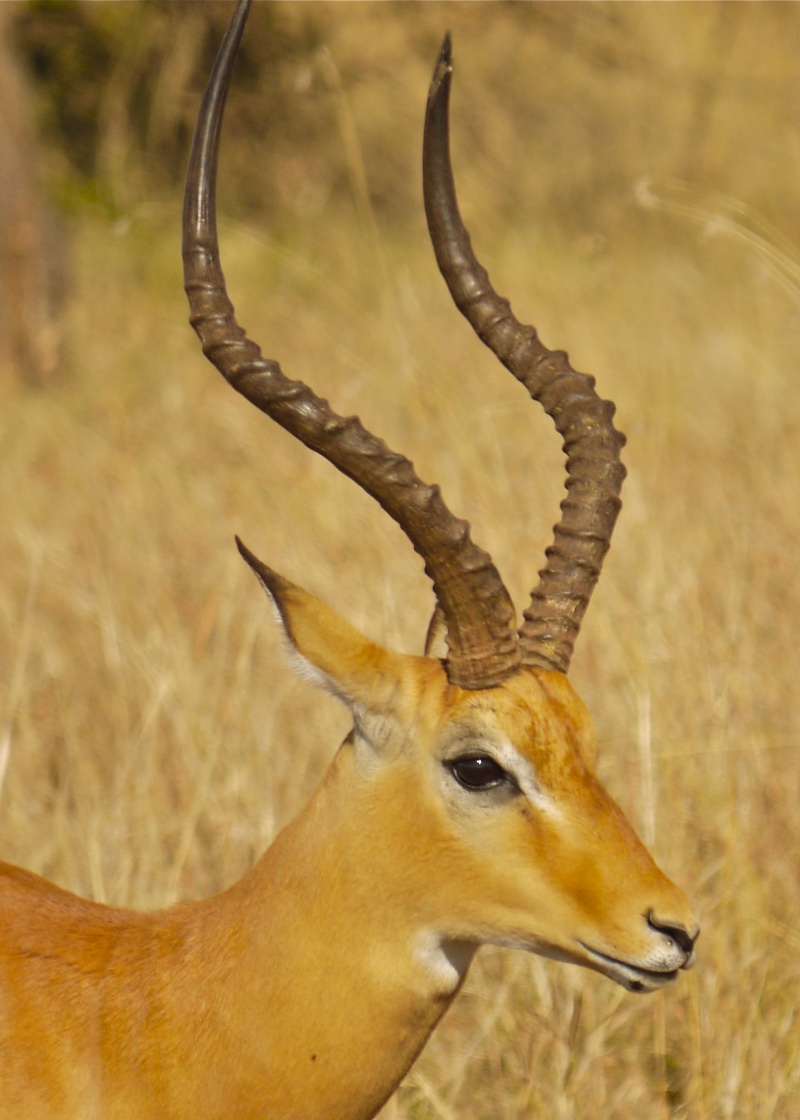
x: 483, y: 759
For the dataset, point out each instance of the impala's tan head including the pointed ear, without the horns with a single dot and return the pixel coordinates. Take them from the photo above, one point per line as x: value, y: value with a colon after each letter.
x: 481, y: 809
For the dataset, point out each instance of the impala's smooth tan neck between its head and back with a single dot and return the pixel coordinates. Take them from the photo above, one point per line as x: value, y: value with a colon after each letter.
x: 324, y: 991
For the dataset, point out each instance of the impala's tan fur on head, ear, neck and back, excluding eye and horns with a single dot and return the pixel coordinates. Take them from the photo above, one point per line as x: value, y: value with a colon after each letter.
x: 309, y: 988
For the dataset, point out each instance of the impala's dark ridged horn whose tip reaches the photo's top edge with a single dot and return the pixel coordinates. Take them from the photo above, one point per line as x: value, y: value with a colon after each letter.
x: 482, y: 641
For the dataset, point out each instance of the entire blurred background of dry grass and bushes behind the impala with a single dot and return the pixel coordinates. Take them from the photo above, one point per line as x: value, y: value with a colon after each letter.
x: 631, y: 178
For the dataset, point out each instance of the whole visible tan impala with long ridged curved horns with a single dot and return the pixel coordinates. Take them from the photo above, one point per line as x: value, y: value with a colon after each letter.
x: 461, y: 810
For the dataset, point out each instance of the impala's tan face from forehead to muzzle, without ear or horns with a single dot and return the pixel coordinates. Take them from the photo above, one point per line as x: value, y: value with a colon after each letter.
x: 535, y: 853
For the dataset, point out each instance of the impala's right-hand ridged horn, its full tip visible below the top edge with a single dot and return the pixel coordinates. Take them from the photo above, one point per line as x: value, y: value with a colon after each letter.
x: 591, y: 442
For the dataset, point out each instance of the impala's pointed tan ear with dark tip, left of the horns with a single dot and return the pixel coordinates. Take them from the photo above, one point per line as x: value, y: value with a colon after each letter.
x: 329, y: 651
